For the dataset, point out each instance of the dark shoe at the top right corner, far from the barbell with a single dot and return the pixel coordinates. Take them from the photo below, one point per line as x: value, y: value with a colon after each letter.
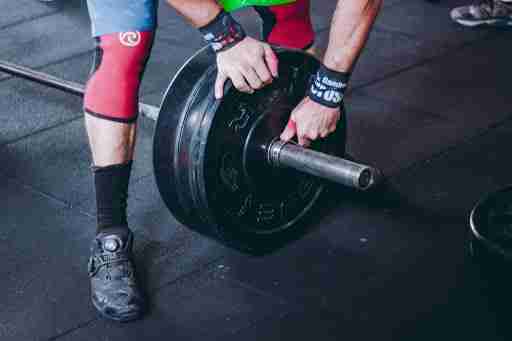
x: 485, y: 13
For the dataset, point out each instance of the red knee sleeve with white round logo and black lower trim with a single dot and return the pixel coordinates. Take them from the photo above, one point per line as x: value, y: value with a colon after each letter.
x: 112, y: 90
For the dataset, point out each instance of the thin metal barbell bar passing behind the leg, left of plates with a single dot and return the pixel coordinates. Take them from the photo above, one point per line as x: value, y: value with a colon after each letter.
x: 78, y: 89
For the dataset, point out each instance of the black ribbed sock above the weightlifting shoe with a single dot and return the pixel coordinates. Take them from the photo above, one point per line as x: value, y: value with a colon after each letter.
x: 111, y: 184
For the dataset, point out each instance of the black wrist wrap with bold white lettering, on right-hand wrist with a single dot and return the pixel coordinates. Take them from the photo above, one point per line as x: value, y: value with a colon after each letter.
x: 328, y: 87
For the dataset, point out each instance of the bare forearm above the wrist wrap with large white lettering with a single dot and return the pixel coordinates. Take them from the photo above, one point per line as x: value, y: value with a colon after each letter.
x: 350, y: 28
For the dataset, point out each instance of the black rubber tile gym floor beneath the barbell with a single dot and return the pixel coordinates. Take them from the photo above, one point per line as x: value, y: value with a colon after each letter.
x: 430, y: 105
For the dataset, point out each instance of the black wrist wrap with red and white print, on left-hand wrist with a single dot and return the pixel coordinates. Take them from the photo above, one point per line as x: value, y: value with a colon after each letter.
x: 222, y: 32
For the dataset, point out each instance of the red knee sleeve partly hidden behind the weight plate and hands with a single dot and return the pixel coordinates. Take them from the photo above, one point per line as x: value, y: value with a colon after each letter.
x: 289, y: 25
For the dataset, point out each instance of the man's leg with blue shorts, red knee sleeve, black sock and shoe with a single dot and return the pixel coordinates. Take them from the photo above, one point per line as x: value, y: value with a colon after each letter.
x: 124, y: 32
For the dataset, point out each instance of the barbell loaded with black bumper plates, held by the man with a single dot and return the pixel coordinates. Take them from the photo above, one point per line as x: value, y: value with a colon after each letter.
x: 219, y: 164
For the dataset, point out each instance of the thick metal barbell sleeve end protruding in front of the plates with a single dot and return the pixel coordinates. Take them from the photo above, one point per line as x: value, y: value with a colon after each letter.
x: 325, y: 166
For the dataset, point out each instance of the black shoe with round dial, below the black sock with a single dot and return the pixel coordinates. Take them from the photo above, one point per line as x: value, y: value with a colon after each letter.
x: 114, y: 290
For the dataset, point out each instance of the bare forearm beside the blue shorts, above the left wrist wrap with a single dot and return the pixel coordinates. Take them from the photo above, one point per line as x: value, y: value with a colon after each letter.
x: 197, y: 12
